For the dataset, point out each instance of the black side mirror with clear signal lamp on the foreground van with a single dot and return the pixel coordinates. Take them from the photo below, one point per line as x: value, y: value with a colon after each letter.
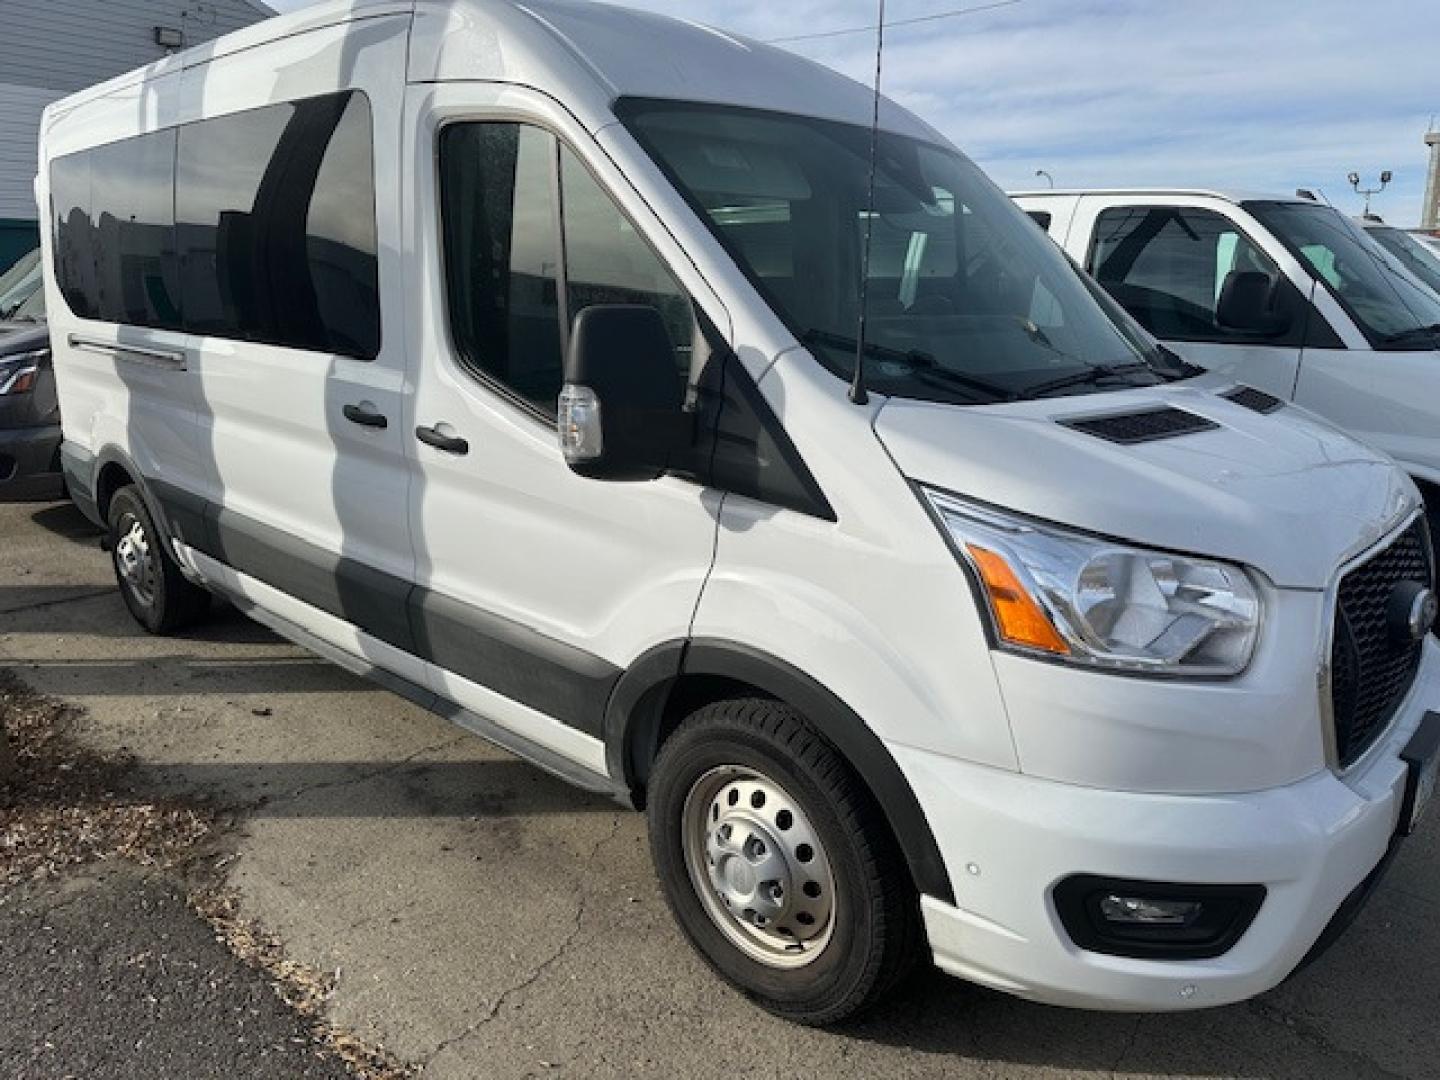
x: 621, y: 408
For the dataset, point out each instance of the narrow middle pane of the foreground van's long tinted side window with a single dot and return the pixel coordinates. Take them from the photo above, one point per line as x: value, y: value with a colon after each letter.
x: 133, y: 221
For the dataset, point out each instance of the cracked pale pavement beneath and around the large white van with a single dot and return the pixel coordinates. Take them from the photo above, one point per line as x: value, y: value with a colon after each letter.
x: 483, y: 919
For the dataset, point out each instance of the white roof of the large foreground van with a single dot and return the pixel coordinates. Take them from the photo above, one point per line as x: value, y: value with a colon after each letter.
x: 593, y: 53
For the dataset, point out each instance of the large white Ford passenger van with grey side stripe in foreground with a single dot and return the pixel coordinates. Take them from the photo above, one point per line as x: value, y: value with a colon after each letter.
x: 505, y: 354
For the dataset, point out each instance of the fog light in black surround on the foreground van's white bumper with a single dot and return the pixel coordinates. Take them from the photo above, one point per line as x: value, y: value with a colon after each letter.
x: 1158, y: 921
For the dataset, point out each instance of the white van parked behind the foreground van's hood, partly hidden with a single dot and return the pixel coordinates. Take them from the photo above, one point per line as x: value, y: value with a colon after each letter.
x: 1282, y: 293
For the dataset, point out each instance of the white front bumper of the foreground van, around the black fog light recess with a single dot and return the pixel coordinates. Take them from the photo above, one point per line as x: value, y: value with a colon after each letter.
x: 1009, y: 839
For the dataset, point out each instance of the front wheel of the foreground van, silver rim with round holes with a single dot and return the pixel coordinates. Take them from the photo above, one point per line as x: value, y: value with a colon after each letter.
x: 778, y: 865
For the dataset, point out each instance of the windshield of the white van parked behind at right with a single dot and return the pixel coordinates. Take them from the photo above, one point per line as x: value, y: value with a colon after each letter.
x: 1392, y: 309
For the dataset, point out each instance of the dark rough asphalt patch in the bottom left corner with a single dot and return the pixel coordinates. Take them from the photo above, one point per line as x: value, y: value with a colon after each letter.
x: 112, y: 976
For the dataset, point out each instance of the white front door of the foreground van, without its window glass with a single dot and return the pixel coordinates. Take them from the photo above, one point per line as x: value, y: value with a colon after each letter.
x: 505, y: 534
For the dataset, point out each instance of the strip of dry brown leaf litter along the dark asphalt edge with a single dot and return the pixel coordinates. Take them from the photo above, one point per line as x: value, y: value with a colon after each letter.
x: 66, y: 806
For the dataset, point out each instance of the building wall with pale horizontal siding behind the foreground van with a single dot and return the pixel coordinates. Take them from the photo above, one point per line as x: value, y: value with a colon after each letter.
x: 53, y: 48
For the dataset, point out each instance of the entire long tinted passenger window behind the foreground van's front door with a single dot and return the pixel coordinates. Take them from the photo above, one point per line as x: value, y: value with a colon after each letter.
x: 257, y: 225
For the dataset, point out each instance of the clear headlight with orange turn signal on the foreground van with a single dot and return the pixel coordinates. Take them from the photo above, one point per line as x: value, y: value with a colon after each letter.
x: 1089, y: 601
